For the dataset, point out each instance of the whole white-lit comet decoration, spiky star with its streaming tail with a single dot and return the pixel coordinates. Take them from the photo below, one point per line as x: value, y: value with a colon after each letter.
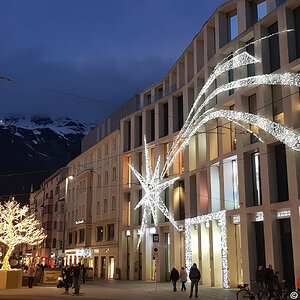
x: 199, y: 115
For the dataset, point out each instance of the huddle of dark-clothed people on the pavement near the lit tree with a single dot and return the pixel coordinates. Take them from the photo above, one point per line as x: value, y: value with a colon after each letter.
x: 74, y: 276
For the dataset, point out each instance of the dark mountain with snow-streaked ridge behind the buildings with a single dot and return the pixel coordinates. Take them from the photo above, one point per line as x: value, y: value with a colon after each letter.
x: 36, y: 146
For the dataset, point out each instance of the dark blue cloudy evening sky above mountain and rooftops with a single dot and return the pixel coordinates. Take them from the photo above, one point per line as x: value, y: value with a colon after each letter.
x: 107, y: 50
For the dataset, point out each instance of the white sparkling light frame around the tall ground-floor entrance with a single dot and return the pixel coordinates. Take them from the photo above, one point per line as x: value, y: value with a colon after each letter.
x: 219, y: 216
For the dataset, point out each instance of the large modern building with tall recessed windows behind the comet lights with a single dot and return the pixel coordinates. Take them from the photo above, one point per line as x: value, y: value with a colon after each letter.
x: 224, y: 166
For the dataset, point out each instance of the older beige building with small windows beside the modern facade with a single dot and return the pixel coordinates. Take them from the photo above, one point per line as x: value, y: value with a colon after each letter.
x: 92, y: 207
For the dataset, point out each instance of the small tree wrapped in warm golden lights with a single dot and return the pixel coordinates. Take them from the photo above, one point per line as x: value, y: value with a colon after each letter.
x: 18, y: 227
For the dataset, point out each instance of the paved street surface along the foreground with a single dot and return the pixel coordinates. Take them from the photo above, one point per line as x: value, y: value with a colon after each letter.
x: 113, y: 289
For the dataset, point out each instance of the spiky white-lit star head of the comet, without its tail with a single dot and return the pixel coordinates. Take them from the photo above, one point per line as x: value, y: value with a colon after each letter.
x: 153, y: 186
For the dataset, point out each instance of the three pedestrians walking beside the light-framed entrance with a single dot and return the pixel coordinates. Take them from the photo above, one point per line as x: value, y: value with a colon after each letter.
x: 194, y: 276
